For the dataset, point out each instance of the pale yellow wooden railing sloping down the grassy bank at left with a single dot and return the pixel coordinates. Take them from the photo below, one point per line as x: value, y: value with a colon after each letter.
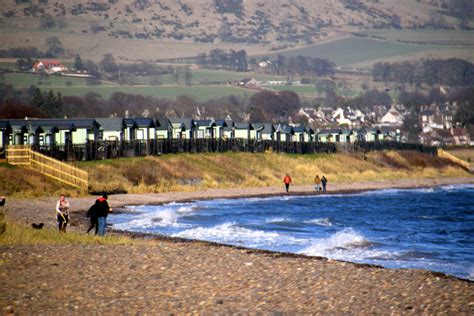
x: 60, y: 171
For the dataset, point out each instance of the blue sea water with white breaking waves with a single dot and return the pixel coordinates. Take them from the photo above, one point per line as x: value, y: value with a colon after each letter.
x: 429, y: 228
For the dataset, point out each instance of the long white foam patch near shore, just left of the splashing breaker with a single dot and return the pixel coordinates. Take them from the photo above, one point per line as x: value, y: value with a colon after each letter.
x: 230, y: 233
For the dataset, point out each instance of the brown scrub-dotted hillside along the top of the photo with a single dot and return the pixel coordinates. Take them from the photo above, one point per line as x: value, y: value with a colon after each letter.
x: 276, y: 22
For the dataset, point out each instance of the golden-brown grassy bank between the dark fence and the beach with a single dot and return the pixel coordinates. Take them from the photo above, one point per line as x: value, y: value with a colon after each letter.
x: 194, y: 172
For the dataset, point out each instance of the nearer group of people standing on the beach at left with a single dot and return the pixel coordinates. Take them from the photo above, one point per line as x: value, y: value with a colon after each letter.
x: 97, y: 214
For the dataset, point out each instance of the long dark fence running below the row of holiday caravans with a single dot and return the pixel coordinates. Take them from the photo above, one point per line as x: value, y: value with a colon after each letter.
x: 97, y: 150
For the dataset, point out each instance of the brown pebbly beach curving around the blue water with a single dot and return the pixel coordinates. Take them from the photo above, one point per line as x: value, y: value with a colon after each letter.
x: 176, y: 276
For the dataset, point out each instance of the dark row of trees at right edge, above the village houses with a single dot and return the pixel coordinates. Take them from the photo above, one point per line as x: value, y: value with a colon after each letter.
x: 450, y: 72
